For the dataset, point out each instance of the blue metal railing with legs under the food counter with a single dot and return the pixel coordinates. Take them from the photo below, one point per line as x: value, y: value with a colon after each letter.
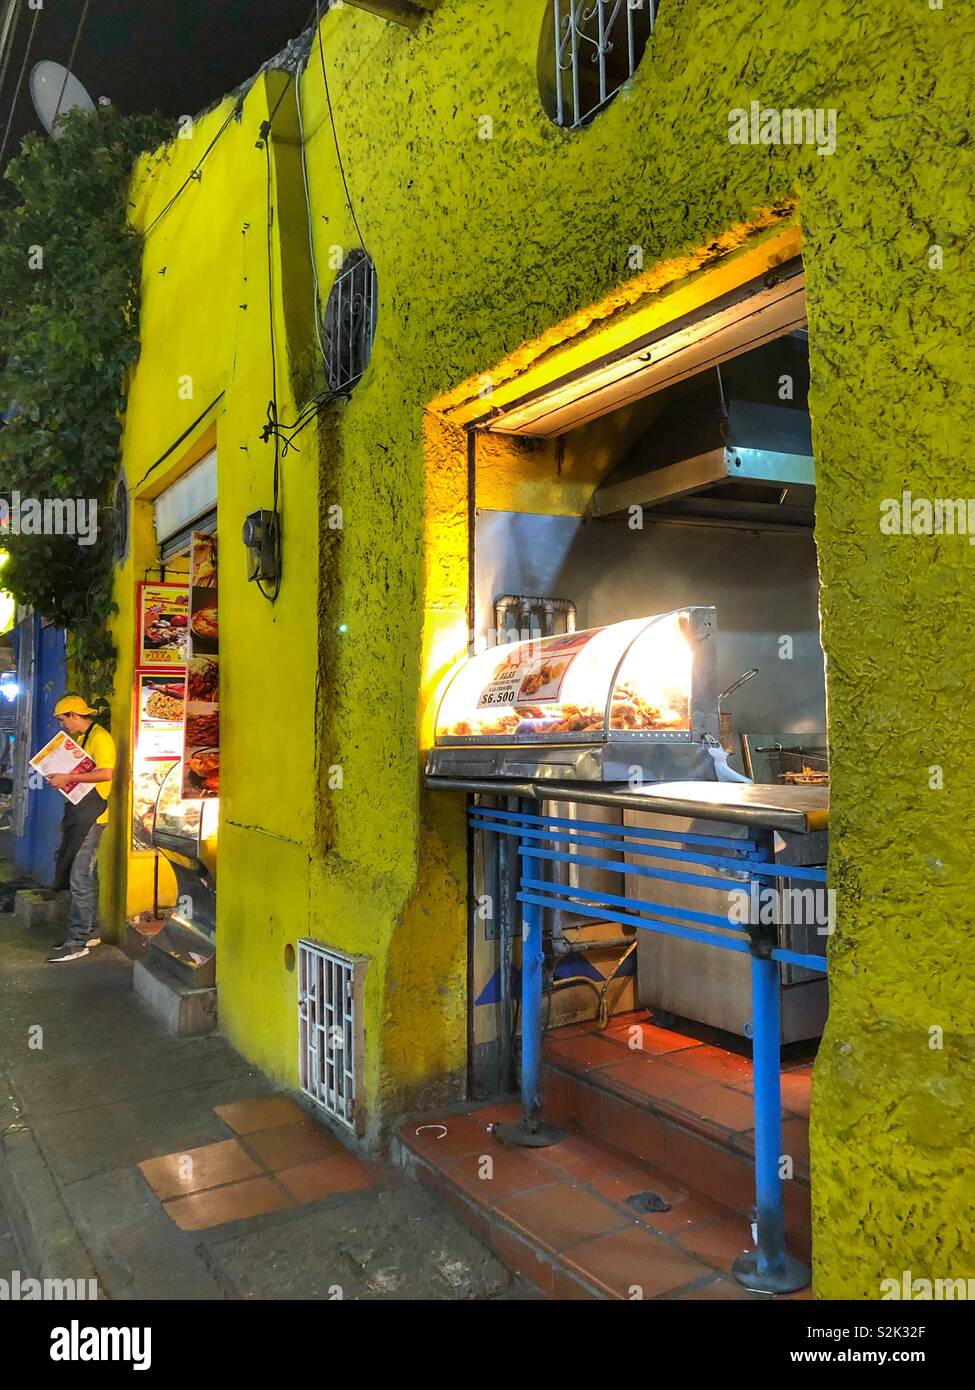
x: 749, y: 864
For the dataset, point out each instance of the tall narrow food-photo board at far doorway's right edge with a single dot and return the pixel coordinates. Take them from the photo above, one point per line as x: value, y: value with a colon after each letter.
x: 201, y: 758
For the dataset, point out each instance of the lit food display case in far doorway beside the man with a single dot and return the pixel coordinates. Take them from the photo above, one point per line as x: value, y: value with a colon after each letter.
x: 186, y: 832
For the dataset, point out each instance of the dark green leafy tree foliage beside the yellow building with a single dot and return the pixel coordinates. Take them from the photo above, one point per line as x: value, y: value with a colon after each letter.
x: 69, y: 333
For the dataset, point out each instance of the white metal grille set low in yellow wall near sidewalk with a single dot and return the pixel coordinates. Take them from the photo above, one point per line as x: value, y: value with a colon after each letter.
x: 329, y: 1025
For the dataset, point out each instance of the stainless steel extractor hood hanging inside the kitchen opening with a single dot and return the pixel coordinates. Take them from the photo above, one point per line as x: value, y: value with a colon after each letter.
x: 732, y: 444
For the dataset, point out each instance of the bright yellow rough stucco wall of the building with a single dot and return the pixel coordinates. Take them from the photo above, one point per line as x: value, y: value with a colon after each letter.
x: 499, y: 238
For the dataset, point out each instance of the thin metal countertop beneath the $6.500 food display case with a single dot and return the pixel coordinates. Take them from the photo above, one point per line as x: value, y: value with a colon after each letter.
x: 798, y: 810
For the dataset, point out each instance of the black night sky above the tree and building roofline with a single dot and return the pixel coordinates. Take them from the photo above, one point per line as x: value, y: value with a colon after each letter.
x: 173, y: 56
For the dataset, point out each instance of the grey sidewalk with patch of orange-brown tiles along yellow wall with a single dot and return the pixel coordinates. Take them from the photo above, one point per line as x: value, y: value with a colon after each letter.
x: 172, y: 1170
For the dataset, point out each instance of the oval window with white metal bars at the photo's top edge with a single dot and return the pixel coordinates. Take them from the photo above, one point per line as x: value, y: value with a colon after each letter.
x: 599, y: 45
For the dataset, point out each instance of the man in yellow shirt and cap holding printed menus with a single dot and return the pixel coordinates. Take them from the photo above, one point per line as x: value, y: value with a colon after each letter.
x: 84, y: 822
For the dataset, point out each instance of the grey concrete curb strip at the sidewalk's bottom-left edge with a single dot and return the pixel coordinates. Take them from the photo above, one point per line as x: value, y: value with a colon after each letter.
x: 42, y: 1228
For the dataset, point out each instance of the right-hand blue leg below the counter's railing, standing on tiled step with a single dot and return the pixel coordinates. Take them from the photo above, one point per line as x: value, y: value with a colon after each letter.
x: 771, y: 1253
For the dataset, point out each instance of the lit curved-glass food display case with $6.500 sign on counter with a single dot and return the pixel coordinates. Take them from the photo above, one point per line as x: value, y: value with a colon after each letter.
x: 632, y: 701
